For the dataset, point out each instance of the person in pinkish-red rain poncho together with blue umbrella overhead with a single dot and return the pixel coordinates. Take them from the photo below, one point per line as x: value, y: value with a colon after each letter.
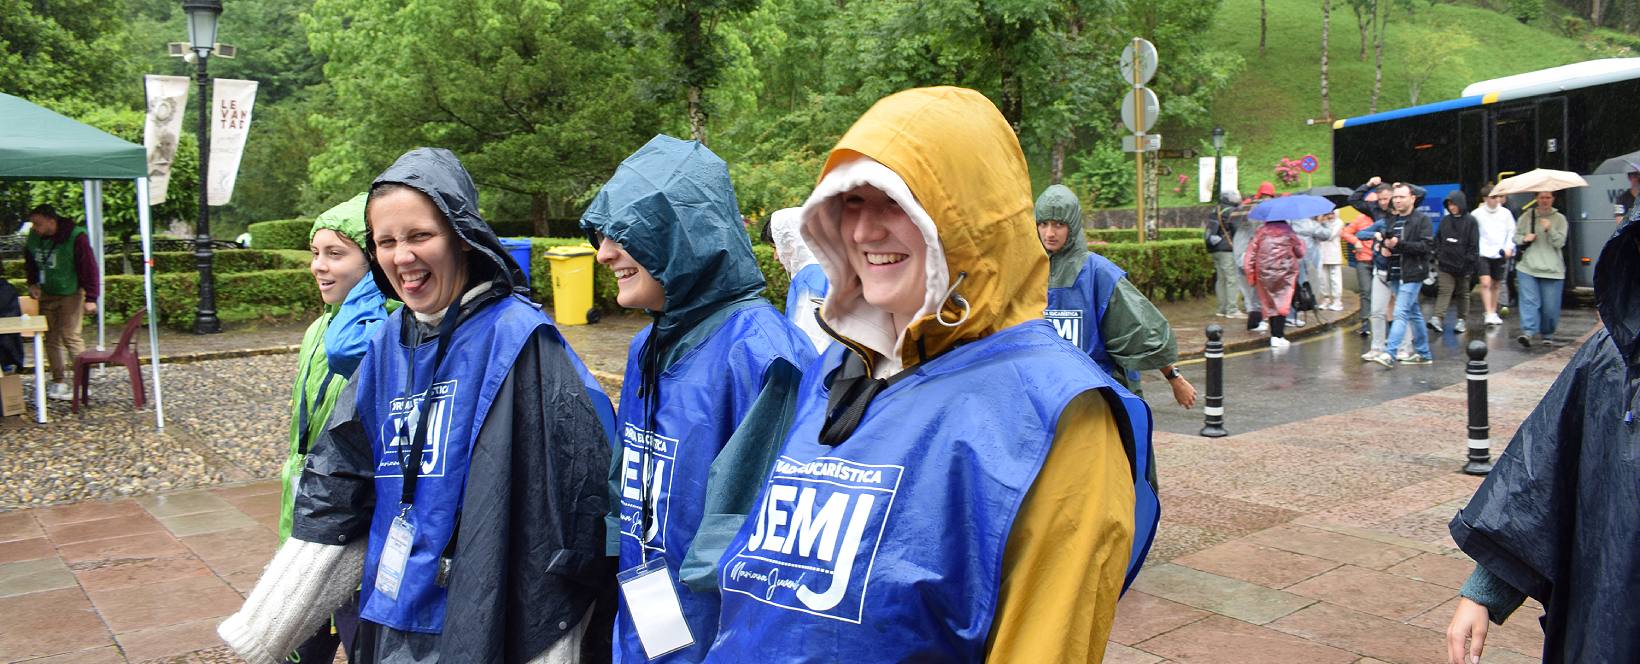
x: 1273, y: 258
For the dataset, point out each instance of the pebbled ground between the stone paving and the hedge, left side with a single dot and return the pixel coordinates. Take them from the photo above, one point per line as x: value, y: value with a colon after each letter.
x: 225, y: 422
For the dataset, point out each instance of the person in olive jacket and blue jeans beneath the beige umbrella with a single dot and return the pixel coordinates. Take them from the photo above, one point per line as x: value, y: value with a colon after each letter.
x: 1541, y: 232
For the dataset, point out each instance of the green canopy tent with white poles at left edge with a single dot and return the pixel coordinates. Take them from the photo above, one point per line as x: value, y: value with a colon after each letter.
x: 42, y: 145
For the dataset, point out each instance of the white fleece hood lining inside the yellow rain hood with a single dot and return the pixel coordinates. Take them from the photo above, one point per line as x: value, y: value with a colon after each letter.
x: 845, y: 307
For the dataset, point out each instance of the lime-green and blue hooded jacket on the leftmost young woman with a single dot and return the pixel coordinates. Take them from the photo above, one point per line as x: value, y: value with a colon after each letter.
x: 317, y: 383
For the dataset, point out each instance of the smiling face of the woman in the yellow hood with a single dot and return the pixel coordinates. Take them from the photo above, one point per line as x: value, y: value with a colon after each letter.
x: 886, y: 252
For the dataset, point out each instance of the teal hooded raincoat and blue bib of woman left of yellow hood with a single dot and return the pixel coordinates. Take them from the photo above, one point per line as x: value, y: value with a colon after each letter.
x: 711, y: 384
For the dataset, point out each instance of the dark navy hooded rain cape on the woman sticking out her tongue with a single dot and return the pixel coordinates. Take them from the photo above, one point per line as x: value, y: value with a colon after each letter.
x: 527, y: 566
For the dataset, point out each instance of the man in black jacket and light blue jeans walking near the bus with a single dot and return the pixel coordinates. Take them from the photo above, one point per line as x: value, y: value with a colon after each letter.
x: 1408, y: 243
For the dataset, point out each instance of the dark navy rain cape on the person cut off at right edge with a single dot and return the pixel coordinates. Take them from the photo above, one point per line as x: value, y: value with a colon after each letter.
x: 1560, y: 512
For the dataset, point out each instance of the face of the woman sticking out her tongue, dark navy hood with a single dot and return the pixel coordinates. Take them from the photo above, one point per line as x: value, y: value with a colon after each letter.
x: 422, y: 257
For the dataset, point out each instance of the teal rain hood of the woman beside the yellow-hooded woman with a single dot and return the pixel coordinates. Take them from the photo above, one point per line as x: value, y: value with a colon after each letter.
x: 673, y: 209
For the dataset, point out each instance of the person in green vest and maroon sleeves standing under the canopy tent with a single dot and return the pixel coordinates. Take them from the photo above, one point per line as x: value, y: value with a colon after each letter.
x: 63, y: 278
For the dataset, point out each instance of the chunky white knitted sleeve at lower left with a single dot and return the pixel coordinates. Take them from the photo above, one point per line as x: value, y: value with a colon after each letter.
x: 296, y: 594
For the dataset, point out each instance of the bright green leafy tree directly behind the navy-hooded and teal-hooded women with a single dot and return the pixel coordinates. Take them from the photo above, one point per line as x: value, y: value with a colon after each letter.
x: 540, y: 99
